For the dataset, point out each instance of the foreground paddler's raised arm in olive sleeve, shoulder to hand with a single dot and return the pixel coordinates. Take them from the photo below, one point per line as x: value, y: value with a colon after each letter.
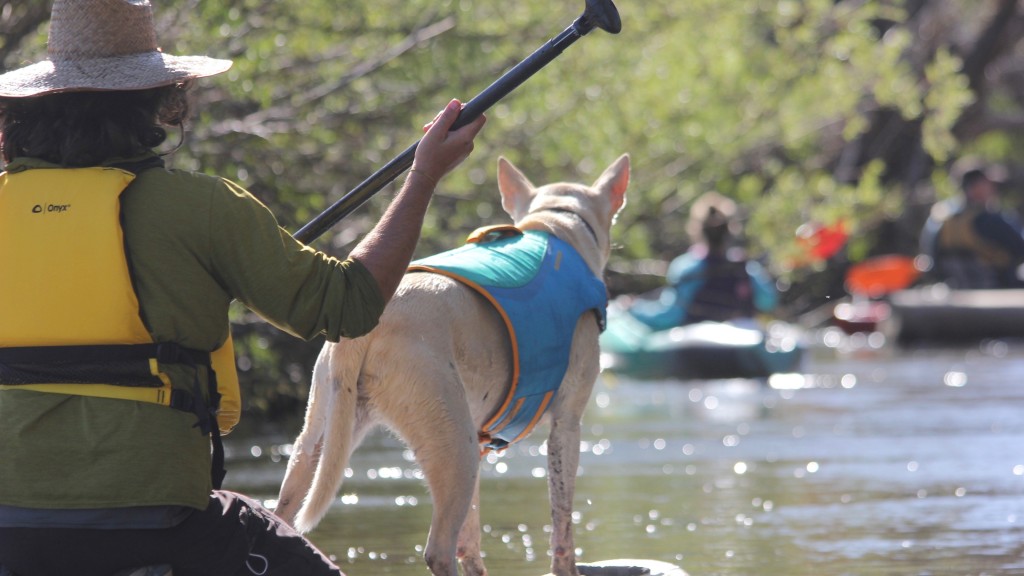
x: 307, y: 293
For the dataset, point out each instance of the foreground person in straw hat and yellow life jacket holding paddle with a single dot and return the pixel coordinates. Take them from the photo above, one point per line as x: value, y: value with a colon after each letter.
x: 95, y: 485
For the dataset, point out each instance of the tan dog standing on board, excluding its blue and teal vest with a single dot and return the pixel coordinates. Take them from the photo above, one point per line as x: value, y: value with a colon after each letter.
x: 440, y: 366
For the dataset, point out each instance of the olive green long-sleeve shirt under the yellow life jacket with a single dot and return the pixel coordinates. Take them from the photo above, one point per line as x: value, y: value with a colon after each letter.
x: 195, y: 243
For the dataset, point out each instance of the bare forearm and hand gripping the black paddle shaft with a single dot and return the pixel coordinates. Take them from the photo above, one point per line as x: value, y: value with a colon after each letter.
x: 389, y: 249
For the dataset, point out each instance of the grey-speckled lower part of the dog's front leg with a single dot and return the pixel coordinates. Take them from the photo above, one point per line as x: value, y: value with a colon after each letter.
x: 564, y: 460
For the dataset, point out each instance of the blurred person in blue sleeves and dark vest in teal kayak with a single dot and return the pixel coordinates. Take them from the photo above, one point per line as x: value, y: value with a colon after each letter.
x: 713, y: 280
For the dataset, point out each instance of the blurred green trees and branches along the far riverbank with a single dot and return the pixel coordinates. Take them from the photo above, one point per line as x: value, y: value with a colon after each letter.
x: 809, y: 113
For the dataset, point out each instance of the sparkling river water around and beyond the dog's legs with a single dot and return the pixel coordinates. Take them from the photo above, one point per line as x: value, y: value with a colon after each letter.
x: 874, y: 461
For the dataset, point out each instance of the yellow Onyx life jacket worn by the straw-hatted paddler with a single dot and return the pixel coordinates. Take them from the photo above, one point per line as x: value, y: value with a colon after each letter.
x: 71, y: 316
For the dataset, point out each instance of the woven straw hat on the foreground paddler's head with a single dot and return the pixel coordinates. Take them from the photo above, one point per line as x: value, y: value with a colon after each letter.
x: 105, y: 46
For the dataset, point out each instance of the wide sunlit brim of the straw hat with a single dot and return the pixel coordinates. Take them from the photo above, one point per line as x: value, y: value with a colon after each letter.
x: 134, y: 72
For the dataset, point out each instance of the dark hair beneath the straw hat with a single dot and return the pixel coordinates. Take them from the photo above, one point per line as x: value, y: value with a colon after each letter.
x: 77, y: 130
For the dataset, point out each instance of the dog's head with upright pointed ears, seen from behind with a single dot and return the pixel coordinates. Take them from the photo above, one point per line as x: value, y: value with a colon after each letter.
x: 576, y: 214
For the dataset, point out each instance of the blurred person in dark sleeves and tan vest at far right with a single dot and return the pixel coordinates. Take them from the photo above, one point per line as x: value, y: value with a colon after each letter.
x: 972, y: 243
